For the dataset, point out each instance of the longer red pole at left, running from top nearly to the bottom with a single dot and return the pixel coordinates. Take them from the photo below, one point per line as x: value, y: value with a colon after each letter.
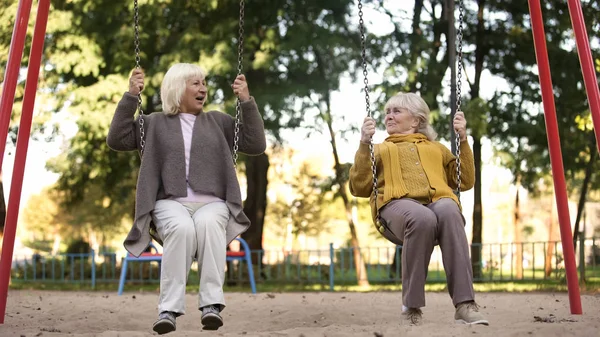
x: 12, y: 211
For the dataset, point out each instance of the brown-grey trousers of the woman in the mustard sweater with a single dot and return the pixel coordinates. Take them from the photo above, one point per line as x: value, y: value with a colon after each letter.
x: 418, y: 228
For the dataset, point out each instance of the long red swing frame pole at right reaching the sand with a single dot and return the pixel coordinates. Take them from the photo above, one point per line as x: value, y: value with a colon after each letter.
x: 558, y: 175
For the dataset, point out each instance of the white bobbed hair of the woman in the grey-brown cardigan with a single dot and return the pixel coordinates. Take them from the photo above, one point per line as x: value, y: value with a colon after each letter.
x: 174, y: 84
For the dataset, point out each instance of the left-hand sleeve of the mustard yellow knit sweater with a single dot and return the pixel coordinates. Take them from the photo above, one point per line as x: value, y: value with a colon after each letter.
x: 361, y: 173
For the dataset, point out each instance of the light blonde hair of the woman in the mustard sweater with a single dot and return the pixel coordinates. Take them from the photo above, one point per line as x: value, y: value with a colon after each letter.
x: 417, y: 107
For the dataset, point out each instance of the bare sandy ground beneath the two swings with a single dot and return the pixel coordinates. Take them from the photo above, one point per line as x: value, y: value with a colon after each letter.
x: 46, y: 313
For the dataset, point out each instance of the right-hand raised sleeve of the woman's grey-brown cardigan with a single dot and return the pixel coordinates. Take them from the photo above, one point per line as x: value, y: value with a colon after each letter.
x: 252, y: 140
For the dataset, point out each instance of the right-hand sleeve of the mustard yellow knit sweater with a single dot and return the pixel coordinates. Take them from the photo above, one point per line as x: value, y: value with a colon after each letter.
x: 467, y: 167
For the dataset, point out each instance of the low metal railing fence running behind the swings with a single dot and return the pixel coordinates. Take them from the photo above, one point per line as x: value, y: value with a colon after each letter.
x: 324, y: 268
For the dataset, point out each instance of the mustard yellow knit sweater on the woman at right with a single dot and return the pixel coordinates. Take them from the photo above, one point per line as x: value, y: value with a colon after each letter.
x: 410, y: 166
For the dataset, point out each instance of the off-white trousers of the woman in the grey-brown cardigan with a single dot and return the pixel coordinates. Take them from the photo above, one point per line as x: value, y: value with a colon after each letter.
x: 191, y: 231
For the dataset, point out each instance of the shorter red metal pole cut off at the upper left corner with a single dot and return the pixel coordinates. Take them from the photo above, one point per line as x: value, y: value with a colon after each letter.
x: 13, y: 66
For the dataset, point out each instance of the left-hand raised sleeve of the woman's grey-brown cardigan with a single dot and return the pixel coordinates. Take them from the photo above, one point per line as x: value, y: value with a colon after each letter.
x: 123, y: 133
